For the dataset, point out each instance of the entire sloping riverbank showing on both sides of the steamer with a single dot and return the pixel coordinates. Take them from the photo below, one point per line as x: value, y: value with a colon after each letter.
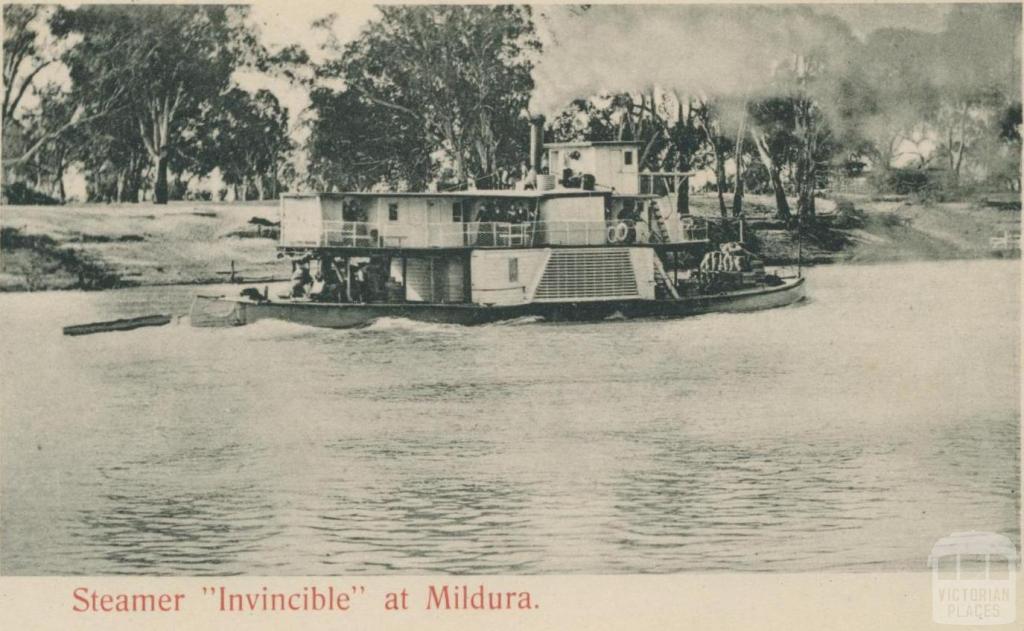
x: 96, y: 246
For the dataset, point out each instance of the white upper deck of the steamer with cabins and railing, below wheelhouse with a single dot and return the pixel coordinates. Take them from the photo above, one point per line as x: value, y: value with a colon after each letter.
x: 481, y: 220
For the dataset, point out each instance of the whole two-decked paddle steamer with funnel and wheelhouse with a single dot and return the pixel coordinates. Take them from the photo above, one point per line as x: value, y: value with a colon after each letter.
x: 594, y: 241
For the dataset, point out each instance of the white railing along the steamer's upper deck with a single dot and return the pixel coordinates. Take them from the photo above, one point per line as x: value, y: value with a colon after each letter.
x: 498, y: 234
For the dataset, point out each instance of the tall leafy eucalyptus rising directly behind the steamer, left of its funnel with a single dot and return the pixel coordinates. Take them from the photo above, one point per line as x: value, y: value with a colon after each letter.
x: 462, y: 73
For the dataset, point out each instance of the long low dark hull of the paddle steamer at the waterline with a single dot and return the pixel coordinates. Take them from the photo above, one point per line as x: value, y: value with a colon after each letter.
x: 221, y: 312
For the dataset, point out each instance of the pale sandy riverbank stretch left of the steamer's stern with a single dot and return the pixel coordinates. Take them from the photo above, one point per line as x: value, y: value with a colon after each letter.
x: 100, y: 246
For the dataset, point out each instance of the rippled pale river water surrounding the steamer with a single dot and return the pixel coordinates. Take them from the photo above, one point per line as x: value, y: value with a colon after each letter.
x: 849, y: 433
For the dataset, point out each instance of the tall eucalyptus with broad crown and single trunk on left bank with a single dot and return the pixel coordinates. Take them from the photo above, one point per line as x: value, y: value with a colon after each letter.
x: 159, y: 64
